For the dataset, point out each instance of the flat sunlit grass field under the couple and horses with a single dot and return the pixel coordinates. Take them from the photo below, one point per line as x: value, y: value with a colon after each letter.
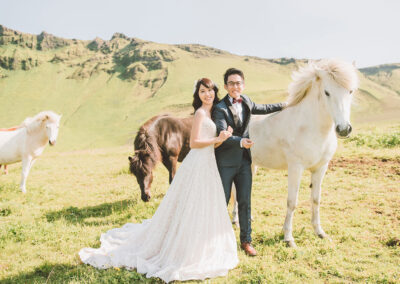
x: 72, y: 197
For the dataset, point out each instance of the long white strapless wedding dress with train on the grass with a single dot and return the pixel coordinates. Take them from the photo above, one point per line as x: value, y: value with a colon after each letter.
x: 190, y: 236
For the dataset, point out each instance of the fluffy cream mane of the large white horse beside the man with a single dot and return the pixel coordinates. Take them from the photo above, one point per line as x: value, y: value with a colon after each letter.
x: 341, y: 72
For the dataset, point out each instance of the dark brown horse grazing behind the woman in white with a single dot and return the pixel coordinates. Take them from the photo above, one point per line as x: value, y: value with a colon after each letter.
x: 162, y: 138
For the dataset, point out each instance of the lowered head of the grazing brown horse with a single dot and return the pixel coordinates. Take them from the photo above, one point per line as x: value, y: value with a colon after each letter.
x: 141, y: 165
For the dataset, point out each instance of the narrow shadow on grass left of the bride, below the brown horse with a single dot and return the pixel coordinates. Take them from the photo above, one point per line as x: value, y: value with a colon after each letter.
x: 76, y: 215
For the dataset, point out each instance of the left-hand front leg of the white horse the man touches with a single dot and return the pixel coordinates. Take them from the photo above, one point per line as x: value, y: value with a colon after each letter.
x: 294, y: 176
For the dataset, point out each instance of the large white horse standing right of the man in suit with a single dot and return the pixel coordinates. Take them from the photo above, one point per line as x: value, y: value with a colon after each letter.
x: 303, y: 136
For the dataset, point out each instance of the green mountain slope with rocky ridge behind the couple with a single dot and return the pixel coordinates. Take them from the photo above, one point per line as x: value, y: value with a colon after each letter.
x: 105, y: 89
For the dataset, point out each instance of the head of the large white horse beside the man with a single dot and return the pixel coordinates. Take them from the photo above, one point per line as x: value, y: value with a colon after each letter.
x: 339, y: 81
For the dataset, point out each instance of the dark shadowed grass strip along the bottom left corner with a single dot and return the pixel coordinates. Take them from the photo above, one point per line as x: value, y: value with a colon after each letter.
x: 66, y: 273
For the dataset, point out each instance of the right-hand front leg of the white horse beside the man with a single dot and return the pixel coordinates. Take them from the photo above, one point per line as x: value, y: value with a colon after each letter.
x: 316, y: 180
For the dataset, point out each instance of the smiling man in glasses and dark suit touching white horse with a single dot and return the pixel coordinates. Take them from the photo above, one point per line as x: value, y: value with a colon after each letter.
x: 233, y: 156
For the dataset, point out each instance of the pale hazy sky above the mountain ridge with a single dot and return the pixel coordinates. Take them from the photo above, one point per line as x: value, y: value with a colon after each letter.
x: 366, y: 31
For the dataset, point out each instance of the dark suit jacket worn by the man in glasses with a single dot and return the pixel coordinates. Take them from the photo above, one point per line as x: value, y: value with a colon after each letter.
x: 229, y: 153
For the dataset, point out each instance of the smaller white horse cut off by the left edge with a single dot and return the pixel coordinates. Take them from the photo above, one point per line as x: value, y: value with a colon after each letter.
x: 27, y: 141
